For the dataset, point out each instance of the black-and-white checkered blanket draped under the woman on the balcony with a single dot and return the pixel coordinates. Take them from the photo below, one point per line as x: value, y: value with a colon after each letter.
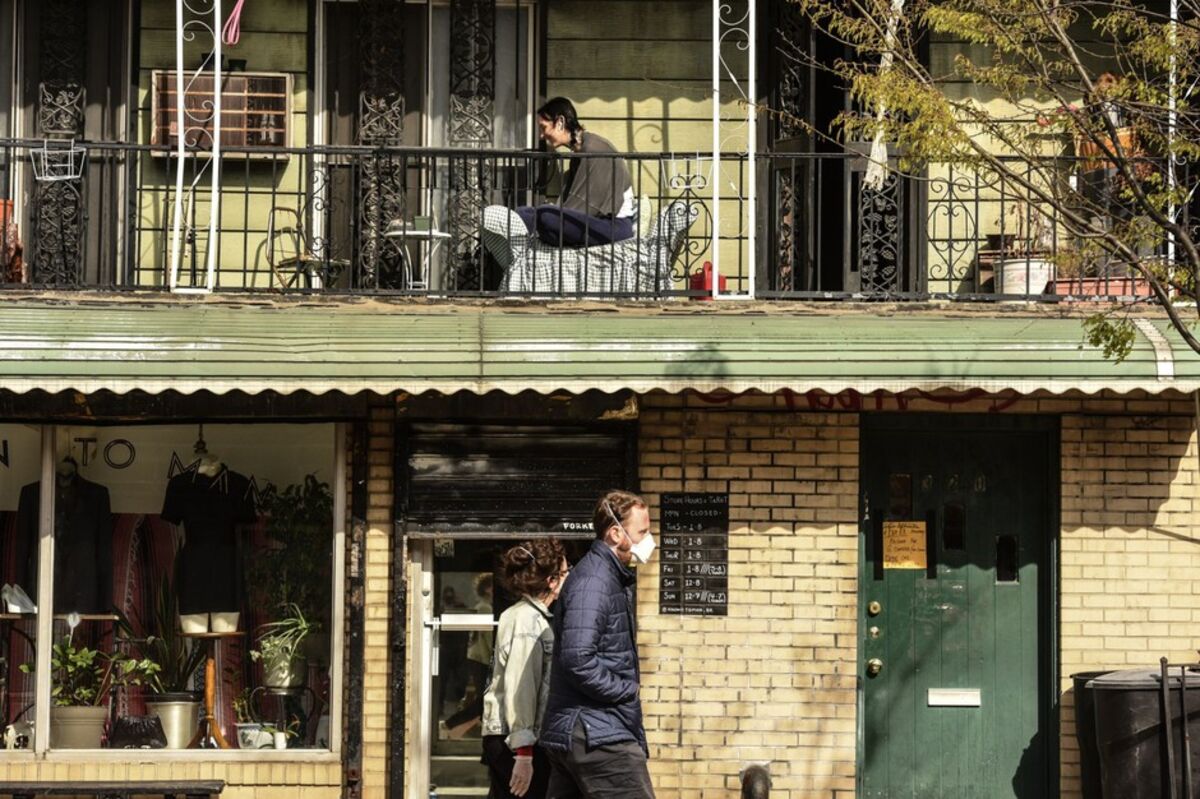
x: 640, y: 267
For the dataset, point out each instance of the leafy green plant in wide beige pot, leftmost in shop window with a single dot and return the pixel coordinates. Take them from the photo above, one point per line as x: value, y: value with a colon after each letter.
x: 81, y: 686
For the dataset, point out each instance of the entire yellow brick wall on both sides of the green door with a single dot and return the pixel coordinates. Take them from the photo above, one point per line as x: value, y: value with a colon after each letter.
x: 722, y: 694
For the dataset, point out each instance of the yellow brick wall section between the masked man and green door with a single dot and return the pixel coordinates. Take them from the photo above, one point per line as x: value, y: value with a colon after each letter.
x: 775, y: 681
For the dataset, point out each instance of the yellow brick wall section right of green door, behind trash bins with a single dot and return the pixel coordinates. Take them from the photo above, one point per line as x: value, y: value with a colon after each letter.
x: 1131, y: 546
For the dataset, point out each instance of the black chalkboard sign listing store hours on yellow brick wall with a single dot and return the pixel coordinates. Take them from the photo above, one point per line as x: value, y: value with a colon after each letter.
x: 694, y: 555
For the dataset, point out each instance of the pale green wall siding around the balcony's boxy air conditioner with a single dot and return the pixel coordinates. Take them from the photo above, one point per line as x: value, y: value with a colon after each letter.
x: 274, y: 39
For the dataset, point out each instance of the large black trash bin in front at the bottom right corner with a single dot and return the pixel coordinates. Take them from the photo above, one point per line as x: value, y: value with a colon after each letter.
x: 1131, y: 737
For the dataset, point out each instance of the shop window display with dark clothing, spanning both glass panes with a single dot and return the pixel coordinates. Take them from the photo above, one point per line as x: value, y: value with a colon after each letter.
x: 149, y: 537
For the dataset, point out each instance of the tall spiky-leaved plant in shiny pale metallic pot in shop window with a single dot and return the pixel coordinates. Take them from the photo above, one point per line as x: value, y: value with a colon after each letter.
x: 171, y: 696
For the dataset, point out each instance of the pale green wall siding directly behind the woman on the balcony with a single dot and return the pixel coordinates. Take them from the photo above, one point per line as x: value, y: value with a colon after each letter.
x: 640, y: 75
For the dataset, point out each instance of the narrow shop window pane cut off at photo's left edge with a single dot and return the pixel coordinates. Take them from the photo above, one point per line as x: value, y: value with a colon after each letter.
x: 21, y: 462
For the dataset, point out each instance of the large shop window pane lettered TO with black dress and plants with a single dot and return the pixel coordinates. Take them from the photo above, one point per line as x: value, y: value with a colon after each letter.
x: 193, y: 557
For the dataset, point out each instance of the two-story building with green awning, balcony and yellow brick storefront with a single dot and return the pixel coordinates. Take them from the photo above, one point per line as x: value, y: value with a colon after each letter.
x: 901, y: 500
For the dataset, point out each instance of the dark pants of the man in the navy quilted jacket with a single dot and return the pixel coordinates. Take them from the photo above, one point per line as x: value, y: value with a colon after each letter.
x: 608, y: 772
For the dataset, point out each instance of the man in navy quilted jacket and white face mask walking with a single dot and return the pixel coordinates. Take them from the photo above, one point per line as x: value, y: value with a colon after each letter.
x: 593, y: 724
